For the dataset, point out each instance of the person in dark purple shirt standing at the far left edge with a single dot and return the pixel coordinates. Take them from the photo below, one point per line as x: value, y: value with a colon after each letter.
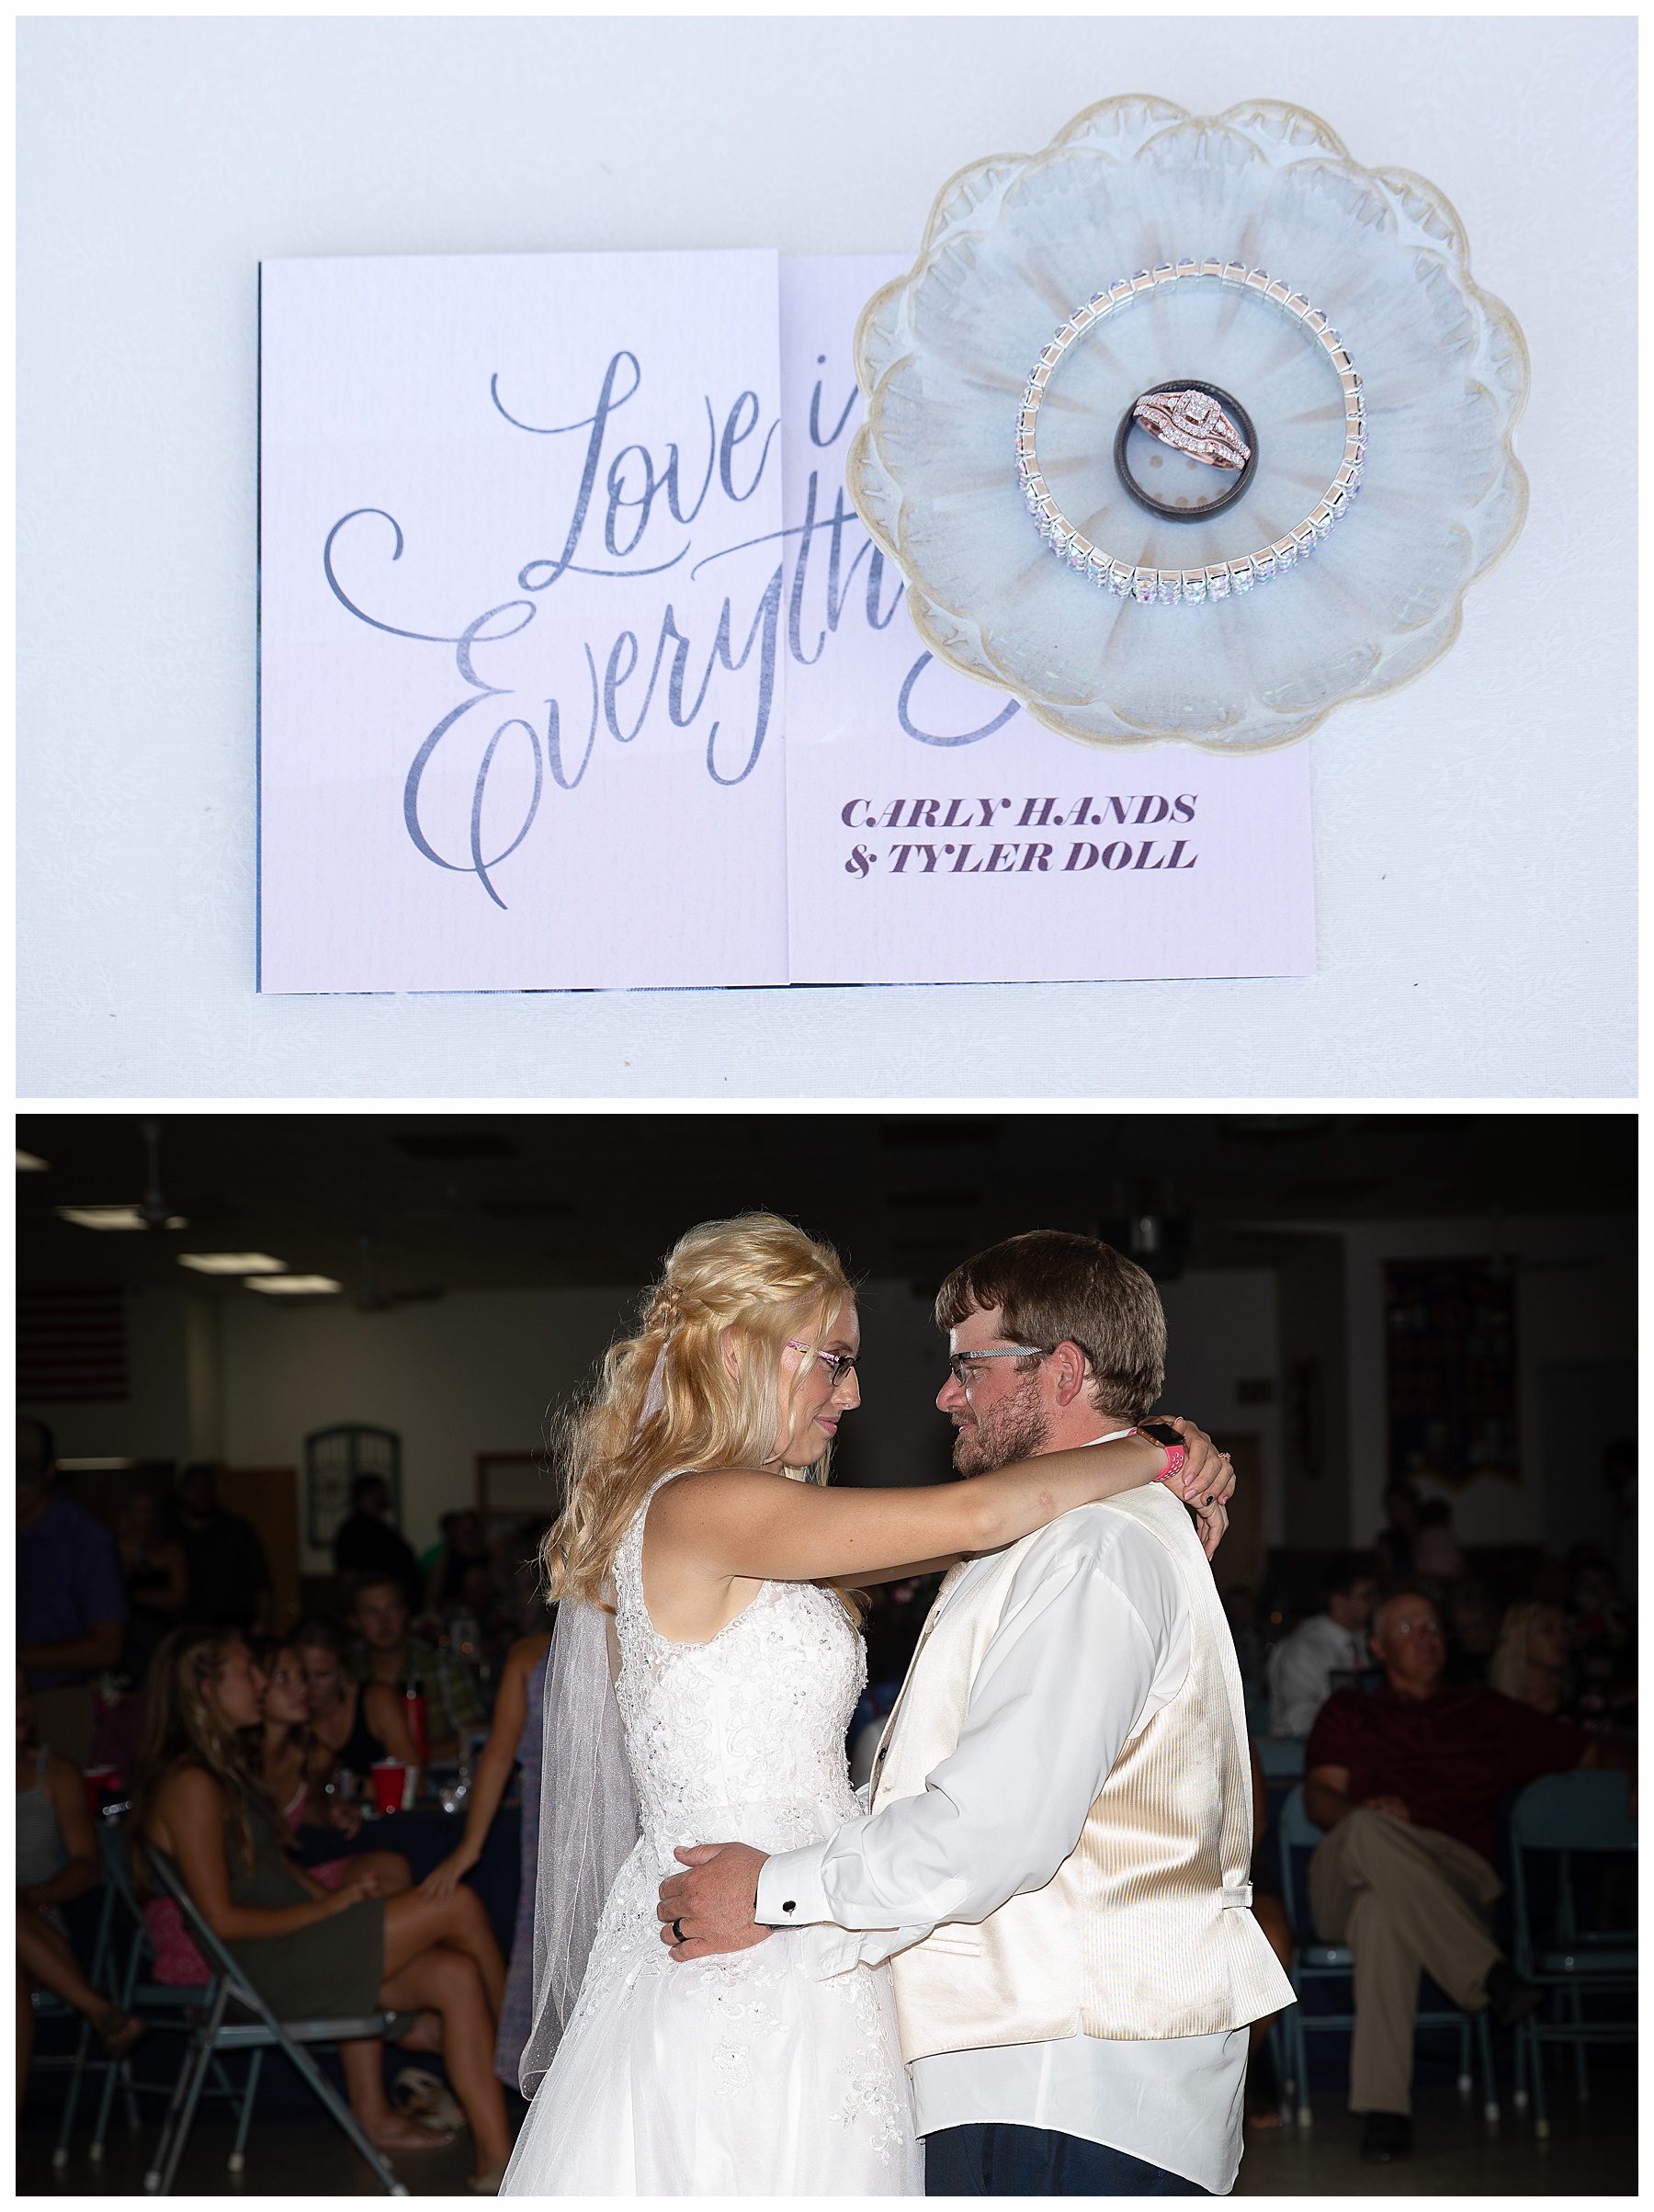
x: 72, y: 1600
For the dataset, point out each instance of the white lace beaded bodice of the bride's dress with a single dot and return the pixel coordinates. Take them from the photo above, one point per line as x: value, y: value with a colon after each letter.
x: 740, y: 1740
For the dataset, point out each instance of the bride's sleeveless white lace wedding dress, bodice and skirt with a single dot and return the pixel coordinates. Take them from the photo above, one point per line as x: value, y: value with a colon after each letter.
x: 742, y: 2076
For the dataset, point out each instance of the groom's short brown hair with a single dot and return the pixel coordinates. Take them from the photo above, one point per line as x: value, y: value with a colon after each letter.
x: 1054, y: 1286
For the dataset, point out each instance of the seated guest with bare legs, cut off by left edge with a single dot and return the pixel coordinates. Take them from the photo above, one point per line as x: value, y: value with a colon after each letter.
x: 56, y: 1861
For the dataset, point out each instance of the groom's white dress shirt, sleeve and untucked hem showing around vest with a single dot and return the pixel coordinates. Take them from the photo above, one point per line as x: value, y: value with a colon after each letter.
x: 1093, y: 1642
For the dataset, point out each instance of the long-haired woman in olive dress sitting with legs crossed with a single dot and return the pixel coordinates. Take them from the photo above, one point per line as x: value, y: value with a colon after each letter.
x: 311, y: 1952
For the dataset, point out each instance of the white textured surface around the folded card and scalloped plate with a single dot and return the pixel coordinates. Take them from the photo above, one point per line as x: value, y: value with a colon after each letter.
x: 1474, y: 833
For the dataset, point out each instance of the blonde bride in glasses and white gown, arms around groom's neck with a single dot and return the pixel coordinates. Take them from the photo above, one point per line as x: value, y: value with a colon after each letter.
x: 718, y: 1600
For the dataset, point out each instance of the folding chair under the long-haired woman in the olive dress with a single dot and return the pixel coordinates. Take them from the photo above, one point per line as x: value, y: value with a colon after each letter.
x: 216, y: 2034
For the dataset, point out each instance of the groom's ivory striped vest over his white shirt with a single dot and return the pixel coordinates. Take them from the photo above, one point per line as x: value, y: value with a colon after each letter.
x: 1144, y: 1930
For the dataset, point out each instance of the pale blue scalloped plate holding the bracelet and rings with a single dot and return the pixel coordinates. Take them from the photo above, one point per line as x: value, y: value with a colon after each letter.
x: 1014, y: 247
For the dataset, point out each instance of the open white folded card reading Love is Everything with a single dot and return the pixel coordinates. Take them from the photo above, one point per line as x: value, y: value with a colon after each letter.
x: 578, y: 671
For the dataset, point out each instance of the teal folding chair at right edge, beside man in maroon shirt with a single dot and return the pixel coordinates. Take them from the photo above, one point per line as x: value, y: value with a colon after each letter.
x: 1569, y: 1815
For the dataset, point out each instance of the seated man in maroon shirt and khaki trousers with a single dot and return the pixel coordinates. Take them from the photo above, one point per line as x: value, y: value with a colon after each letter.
x: 1407, y: 1784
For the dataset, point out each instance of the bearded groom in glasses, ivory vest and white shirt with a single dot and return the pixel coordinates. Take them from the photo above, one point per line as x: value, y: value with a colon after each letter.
x: 1060, y: 1817
